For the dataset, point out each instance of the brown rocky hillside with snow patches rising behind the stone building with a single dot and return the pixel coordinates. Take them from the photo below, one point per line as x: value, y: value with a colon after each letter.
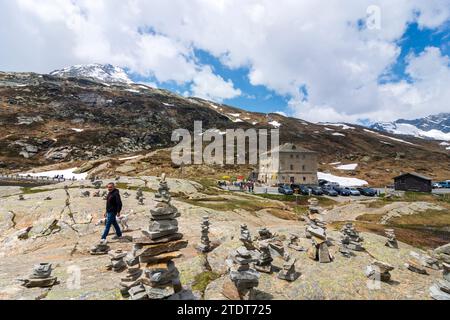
x: 48, y: 119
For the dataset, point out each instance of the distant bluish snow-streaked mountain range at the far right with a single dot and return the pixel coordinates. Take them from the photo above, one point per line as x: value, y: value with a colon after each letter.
x: 435, y: 127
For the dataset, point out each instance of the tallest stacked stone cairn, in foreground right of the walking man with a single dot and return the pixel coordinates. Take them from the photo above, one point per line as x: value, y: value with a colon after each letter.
x: 156, y: 249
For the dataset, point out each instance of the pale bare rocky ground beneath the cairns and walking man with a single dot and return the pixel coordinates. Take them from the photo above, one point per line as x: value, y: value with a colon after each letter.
x: 62, y: 233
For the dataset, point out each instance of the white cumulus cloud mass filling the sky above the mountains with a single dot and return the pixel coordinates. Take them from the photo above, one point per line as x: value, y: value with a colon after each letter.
x: 320, y: 46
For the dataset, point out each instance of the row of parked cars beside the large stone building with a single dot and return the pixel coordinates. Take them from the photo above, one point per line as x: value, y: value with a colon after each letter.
x: 329, y: 189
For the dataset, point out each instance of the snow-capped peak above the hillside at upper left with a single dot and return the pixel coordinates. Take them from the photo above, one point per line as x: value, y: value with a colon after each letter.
x: 101, y: 72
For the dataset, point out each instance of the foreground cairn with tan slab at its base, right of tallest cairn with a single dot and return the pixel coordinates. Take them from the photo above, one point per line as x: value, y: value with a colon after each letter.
x: 243, y: 279
